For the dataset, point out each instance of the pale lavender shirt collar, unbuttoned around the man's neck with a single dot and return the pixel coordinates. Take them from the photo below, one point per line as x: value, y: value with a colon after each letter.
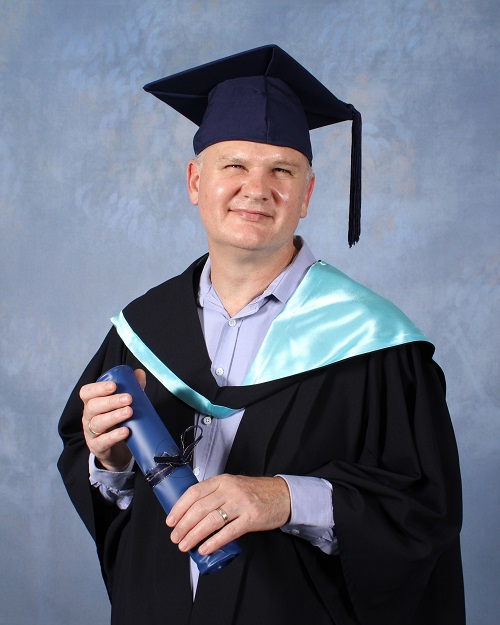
x: 281, y: 287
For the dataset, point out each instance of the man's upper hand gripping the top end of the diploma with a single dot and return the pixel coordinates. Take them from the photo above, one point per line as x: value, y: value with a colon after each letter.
x: 103, y: 411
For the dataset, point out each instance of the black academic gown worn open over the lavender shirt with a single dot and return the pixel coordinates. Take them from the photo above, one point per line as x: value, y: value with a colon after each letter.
x: 376, y: 426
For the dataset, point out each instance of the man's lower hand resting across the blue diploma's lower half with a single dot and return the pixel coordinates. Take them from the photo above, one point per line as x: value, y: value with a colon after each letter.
x: 225, y: 507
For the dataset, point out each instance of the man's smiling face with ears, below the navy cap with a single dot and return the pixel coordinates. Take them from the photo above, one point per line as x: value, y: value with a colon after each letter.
x: 250, y: 196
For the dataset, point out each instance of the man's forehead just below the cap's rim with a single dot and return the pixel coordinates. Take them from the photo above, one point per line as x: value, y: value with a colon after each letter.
x: 255, y: 152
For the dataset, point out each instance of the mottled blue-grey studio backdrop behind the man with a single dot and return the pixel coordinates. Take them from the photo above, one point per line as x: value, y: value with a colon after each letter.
x: 93, y: 212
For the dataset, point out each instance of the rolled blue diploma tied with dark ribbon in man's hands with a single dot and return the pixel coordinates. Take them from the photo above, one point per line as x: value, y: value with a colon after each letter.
x: 148, y: 438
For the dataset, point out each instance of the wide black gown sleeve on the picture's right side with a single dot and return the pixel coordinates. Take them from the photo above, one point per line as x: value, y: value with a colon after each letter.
x: 397, y: 501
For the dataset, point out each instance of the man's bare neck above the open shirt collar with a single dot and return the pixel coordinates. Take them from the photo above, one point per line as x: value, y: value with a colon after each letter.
x: 239, y: 280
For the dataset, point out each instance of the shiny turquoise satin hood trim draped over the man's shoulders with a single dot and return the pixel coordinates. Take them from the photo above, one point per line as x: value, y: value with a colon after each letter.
x: 329, y: 318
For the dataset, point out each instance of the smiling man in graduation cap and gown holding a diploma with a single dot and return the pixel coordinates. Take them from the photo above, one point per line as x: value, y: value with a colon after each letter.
x: 327, y: 448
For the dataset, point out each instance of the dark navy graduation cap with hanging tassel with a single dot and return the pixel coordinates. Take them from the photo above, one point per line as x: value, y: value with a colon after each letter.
x: 265, y: 96
